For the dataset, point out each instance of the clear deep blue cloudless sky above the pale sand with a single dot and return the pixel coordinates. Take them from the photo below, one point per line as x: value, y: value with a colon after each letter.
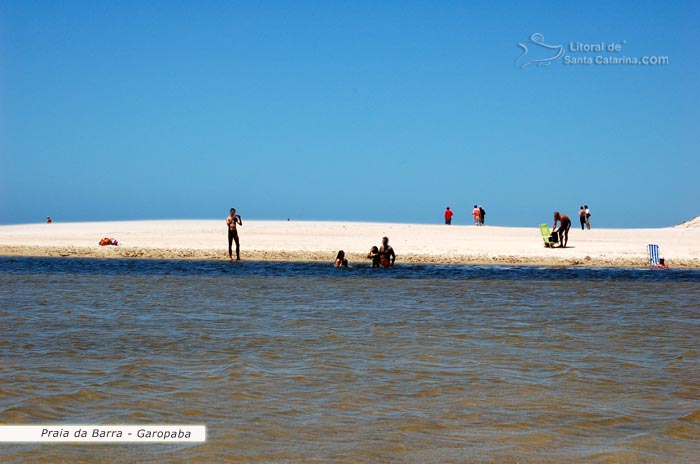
x: 358, y: 111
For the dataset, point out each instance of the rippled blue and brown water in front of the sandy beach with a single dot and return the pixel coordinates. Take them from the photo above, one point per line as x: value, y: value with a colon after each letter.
x: 307, y: 363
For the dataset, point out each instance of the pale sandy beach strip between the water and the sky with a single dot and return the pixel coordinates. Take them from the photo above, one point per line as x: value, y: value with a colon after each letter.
x: 319, y: 241
